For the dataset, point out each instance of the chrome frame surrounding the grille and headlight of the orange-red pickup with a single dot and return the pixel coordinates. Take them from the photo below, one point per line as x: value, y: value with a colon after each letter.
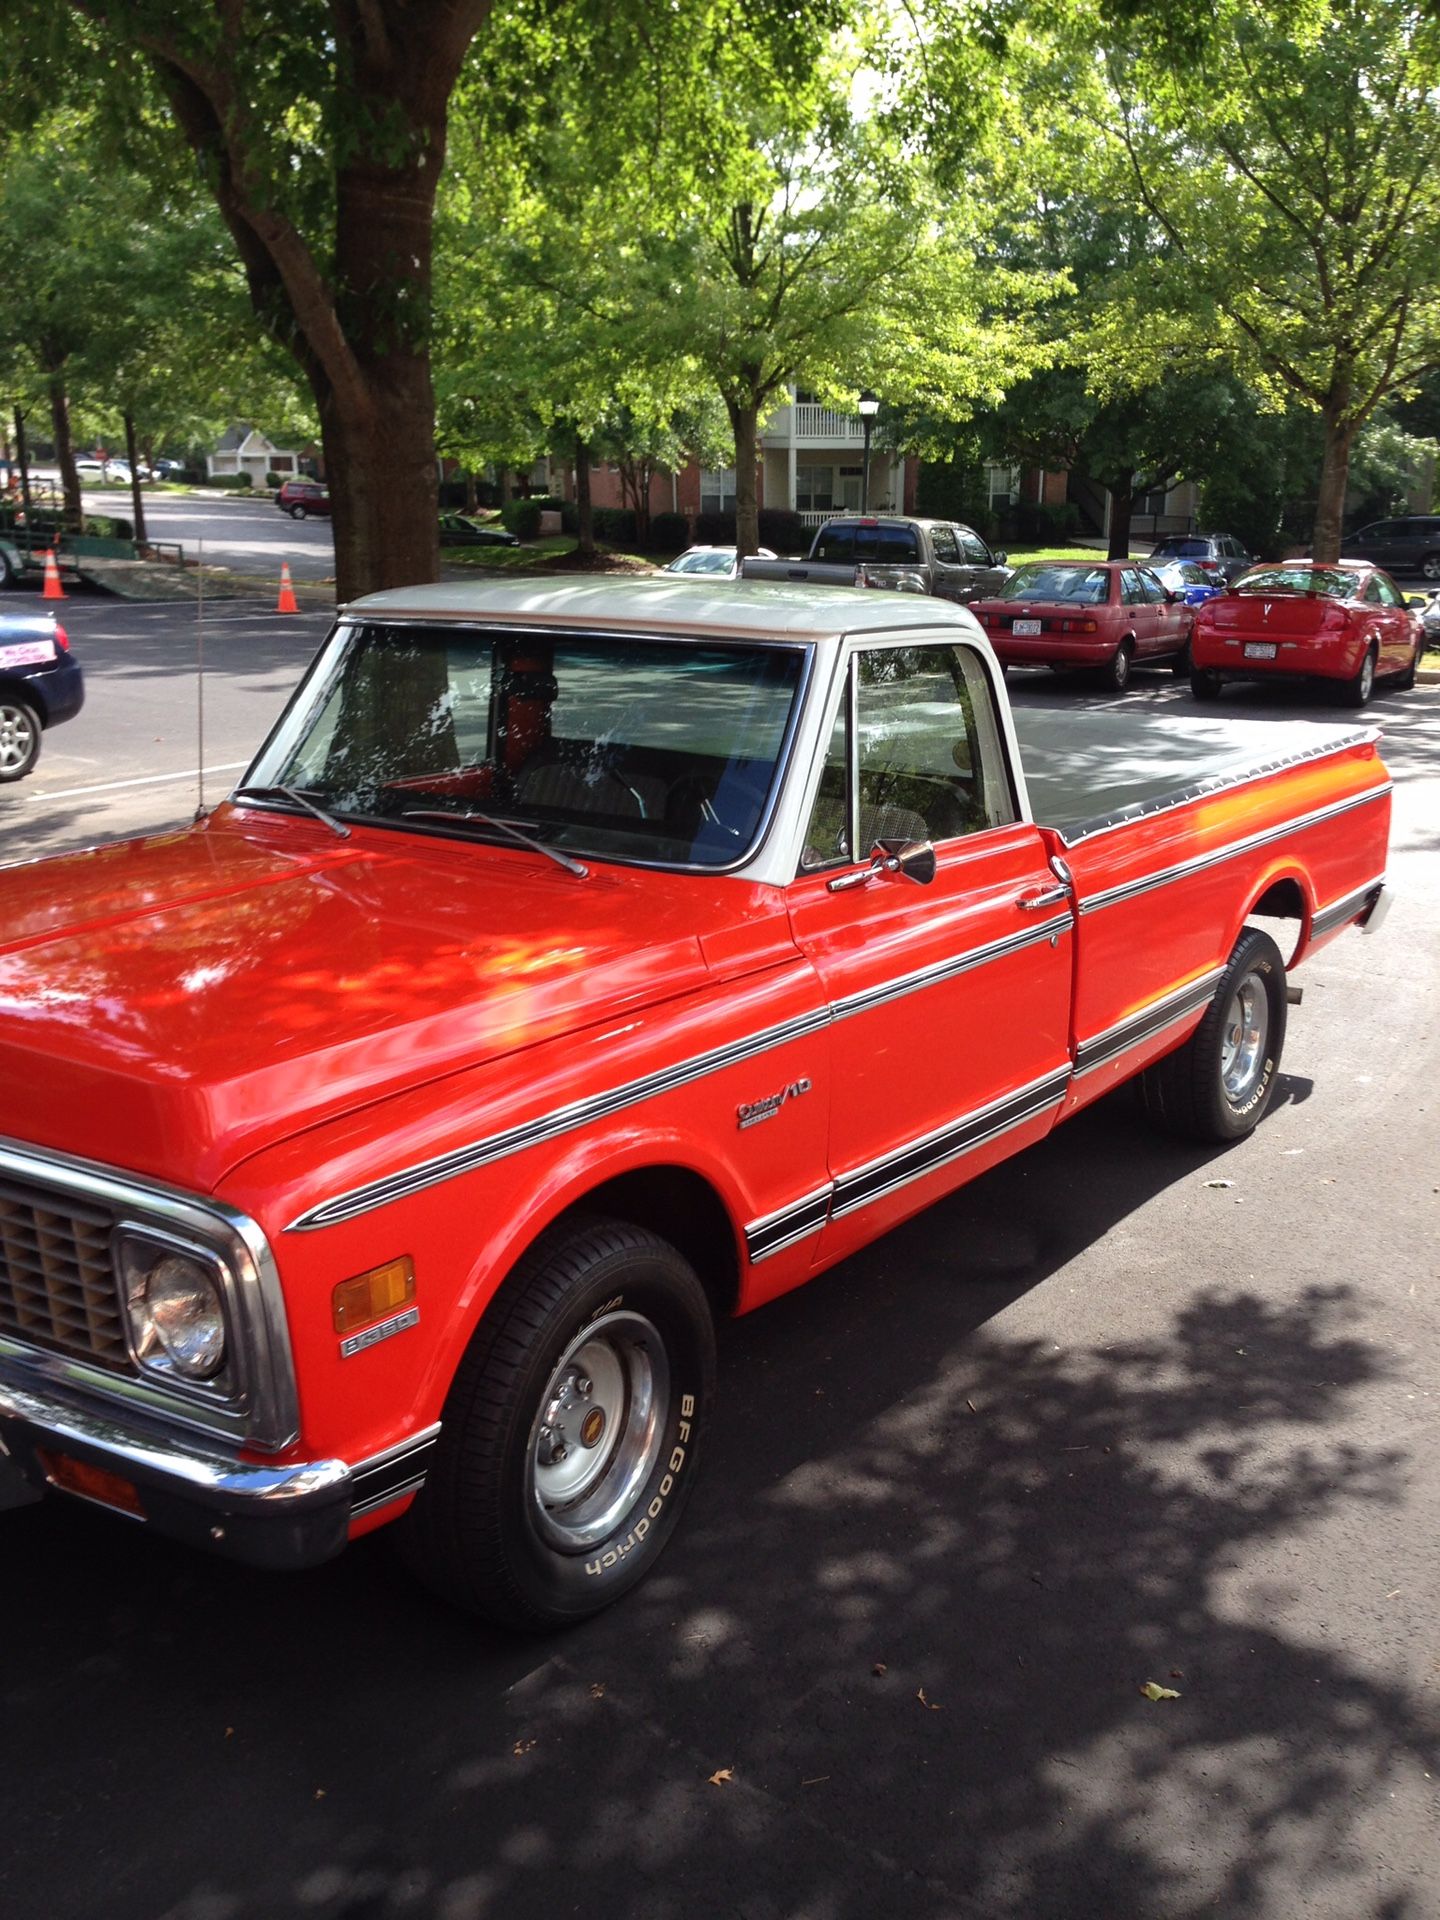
x: 264, y: 1412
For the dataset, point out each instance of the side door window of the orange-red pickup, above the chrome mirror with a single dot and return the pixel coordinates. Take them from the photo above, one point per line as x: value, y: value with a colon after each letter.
x: 915, y: 756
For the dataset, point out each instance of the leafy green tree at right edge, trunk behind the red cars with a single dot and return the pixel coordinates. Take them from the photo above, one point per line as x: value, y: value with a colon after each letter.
x: 1291, y: 155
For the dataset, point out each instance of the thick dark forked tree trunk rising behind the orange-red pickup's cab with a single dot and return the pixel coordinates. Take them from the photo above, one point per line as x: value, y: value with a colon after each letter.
x: 354, y: 302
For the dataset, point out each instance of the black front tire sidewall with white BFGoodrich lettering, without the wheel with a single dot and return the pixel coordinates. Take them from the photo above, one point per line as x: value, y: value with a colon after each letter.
x: 562, y: 1585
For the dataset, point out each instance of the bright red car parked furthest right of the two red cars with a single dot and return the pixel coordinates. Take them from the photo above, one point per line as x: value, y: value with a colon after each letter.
x: 1297, y: 621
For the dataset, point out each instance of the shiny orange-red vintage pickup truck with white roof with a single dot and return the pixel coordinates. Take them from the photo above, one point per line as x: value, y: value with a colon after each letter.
x: 575, y: 967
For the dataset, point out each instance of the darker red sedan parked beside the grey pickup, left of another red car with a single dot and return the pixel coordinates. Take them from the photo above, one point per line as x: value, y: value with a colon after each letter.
x: 1088, y: 613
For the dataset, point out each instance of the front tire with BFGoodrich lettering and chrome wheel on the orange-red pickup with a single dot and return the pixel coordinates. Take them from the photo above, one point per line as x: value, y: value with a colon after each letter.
x: 571, y: 1433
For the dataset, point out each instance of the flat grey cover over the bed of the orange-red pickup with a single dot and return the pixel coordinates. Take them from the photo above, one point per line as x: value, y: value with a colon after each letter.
x: 1093, y: 771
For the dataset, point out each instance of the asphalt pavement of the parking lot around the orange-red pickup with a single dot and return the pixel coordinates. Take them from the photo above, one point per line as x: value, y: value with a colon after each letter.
x: 1118, y: 1412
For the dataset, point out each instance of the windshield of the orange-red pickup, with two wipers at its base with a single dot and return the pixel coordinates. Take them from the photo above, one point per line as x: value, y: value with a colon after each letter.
x: 646, y: 752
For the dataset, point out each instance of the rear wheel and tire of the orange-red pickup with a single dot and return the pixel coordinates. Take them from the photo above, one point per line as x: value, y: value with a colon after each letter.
x: 1222, y: 1082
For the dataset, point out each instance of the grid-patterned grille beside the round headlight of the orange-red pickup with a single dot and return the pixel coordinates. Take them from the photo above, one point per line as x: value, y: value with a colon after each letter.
x: 57, y: 1282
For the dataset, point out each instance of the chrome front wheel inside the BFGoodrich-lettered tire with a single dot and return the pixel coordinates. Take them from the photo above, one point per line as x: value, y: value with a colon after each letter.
x: 600, y: 1431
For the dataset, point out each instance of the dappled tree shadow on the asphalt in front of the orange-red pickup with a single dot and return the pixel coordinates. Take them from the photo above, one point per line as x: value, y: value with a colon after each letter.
x: 924, y: 1577
